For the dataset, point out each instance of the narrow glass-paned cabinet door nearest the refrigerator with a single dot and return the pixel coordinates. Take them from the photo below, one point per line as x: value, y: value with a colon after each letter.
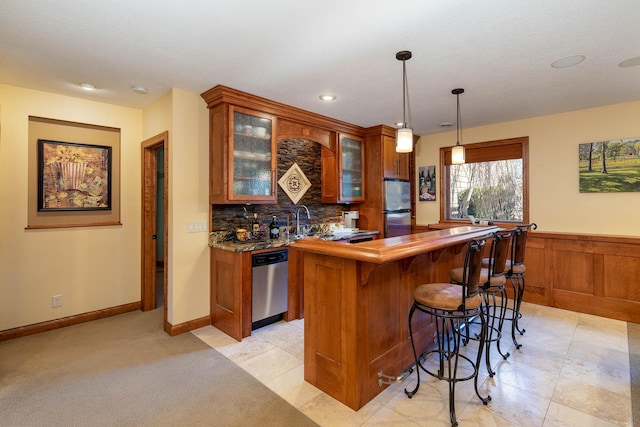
x: 351, y: 168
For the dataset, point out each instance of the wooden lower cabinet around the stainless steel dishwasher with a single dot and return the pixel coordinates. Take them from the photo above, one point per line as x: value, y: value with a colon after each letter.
x: 231, y: 289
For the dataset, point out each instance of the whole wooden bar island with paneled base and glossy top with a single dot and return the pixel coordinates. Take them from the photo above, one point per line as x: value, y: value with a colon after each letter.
x: 356, y: 305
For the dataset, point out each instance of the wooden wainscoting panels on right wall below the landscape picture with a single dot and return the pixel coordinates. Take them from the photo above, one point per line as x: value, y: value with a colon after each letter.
x: 586, y: 273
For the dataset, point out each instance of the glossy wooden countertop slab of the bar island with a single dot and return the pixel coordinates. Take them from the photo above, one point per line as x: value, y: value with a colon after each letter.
x: 395, y: 248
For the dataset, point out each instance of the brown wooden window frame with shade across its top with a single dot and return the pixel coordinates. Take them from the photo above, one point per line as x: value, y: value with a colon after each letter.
x: 487, y: 151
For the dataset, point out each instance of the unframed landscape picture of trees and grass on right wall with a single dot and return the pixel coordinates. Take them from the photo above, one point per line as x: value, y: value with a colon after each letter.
x: 610, y: 166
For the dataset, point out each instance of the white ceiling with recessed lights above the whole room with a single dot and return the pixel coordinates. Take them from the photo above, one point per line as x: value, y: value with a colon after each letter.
x: 292, y: 51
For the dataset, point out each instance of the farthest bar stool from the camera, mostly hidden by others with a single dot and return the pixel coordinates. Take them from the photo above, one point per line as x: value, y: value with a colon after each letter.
x: 515, y: 274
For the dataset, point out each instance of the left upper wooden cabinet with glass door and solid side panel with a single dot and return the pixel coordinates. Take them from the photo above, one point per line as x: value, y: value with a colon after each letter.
x: 243, y: 154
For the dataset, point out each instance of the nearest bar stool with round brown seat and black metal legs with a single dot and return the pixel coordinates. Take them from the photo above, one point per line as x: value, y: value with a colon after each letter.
x: 452, y: 306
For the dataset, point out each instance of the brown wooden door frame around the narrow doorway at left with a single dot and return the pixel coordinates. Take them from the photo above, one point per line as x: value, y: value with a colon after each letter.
x: 148, y: 226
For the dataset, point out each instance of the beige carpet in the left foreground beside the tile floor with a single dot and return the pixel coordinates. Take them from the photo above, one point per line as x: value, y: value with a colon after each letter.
x: 125, y: 371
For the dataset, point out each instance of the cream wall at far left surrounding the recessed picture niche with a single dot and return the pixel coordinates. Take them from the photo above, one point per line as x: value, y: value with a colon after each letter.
x: 91, y: 267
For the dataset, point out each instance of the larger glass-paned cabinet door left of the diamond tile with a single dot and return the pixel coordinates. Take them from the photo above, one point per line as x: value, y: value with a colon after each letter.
x: 252, y: 157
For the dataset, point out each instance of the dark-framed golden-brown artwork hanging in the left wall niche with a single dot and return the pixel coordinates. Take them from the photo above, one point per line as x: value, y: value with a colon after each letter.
x: 73, y: 176
